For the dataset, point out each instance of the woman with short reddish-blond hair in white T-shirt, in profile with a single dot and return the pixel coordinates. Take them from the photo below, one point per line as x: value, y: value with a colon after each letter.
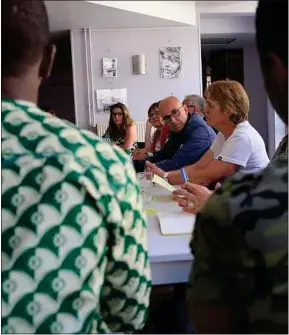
x: 237, y: 147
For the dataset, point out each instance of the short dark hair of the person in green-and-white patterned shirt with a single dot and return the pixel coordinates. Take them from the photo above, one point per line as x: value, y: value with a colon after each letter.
x: 25, y: 34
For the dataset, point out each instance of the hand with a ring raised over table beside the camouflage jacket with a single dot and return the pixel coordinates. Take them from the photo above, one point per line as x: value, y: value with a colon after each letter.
x: 193, y: 197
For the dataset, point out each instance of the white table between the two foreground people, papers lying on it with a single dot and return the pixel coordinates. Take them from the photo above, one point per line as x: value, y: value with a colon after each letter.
x: 170, y: 256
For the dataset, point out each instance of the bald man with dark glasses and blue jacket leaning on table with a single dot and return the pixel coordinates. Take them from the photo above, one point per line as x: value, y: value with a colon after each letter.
x: 189, y: 138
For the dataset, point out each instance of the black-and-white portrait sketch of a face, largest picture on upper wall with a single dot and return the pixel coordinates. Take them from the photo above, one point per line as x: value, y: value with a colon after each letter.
x: 170, y: 62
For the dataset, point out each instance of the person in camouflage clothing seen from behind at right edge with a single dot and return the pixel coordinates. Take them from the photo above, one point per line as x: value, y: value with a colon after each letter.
x: 239, y: 278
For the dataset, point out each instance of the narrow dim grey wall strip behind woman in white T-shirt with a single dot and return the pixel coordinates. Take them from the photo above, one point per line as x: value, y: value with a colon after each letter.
x: 254, y: 86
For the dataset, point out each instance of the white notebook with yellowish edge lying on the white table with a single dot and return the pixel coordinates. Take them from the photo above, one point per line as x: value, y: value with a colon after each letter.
x: 177, y: 223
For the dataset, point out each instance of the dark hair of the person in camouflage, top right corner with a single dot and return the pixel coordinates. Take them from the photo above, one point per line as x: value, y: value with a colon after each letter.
x: 272, y: 28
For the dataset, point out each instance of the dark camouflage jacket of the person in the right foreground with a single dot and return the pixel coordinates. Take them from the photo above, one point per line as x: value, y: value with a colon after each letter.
x: 240, y: 248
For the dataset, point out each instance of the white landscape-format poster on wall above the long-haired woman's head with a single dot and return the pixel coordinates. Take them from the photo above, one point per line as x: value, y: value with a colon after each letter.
x: 107, y: 97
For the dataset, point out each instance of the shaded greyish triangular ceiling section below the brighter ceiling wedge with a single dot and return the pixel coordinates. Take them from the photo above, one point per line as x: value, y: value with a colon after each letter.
x: 64, y: 15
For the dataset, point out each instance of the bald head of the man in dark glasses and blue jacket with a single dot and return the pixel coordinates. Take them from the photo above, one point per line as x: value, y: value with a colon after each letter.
x: 172, y: 106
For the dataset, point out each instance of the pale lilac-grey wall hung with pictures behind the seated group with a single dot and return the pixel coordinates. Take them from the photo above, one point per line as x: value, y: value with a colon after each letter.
x: 142, y: 90
